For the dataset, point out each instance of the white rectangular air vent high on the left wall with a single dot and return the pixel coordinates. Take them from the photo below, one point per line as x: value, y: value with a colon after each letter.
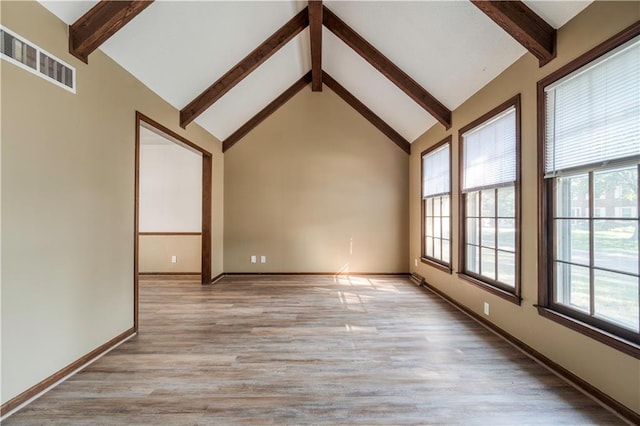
x: 21, y: 52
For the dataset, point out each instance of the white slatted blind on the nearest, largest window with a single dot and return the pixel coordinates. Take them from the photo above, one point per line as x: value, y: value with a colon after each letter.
x: 593, y: 114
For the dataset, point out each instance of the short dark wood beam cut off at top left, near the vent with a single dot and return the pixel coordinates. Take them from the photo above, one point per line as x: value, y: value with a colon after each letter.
x: 101, y: 22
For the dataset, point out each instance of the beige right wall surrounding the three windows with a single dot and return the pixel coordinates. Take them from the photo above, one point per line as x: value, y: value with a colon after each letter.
x: 609, y: 370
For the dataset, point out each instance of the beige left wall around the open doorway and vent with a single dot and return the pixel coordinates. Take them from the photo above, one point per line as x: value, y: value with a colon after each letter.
x: 68, y: 202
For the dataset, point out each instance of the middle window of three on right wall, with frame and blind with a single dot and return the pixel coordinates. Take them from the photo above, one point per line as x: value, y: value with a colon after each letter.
x: 490, y: 201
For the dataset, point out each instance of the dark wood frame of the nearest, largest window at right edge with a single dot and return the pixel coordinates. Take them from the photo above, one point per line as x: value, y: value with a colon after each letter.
x: 599, y: 330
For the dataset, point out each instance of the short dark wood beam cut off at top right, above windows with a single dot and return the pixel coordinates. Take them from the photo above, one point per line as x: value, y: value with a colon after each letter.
x: 524, y: 25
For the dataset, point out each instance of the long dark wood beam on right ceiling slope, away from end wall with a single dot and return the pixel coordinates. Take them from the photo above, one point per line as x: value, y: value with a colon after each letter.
x: 386, y: 67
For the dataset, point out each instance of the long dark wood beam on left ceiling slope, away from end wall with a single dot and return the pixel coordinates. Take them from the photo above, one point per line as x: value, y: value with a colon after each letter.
x: 252, y: 61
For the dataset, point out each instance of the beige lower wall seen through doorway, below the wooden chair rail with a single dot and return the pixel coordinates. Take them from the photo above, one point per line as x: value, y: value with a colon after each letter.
x: 155, y: 251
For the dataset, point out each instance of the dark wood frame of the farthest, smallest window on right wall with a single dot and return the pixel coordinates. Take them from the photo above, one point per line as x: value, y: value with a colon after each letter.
x: 437, y: 263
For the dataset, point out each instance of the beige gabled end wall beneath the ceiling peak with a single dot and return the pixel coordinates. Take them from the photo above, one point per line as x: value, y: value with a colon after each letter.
x: 316, y: 188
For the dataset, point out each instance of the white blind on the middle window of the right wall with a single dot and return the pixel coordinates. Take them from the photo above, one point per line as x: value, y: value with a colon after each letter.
x: 490, y: 152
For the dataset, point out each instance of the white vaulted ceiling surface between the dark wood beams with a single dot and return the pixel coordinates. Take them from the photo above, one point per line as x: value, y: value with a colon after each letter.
x: 179, y: 48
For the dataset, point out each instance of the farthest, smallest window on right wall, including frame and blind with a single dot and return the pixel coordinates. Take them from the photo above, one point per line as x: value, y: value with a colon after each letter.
x: 436, y: 205
